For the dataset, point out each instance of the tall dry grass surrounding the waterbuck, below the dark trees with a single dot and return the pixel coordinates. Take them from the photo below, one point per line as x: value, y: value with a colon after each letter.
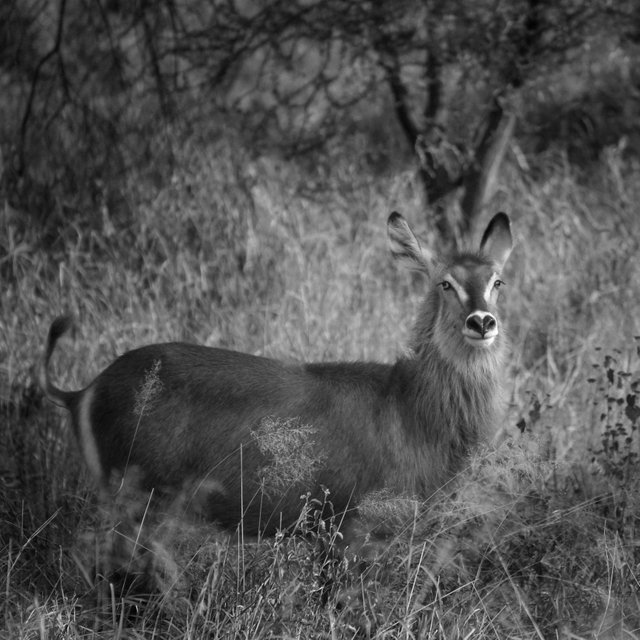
x: 540, y: 538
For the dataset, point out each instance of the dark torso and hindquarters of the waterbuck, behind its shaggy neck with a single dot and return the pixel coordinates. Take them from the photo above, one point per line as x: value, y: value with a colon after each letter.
x: 245, y: 435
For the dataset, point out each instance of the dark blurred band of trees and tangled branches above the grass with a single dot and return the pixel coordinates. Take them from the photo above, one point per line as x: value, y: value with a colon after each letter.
x: 93, y: 79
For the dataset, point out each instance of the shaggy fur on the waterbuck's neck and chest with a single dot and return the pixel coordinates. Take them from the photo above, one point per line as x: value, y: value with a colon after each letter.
x: 454, y: 395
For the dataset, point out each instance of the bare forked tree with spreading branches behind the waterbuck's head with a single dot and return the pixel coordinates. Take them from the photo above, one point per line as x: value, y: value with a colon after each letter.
x: 413, y: 48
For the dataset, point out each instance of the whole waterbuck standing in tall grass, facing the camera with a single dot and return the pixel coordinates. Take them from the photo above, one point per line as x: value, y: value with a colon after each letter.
x: 258, y: 433
